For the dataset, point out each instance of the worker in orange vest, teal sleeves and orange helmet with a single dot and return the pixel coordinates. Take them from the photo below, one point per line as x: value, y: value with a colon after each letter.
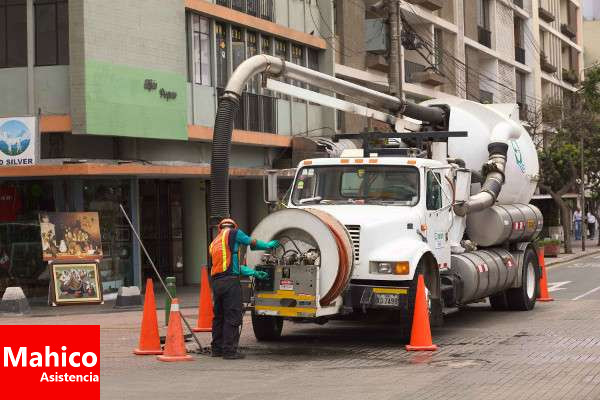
x: 227, y: 291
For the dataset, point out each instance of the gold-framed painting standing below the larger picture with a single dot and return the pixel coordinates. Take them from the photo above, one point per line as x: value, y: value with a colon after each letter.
x: 76, y: 283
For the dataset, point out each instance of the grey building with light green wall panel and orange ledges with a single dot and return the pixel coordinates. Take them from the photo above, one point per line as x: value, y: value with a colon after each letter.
x: 124, y: 94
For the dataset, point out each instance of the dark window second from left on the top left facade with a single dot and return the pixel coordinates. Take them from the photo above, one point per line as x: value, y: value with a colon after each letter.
x: 51, y: 32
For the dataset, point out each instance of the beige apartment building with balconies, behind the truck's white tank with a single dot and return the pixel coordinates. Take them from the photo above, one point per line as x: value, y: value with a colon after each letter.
x: 497, y: 51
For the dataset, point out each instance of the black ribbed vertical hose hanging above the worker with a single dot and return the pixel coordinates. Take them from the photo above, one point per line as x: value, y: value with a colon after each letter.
x: 221, y: 147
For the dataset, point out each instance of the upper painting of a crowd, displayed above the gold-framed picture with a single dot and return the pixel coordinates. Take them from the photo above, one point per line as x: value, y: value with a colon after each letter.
x: 69, y: 236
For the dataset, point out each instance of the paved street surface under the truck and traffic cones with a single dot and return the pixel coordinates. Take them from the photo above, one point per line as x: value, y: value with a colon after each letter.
x: 550, y: 353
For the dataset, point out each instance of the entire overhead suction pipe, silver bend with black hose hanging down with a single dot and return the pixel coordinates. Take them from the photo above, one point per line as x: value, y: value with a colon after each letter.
x: 229, y: 104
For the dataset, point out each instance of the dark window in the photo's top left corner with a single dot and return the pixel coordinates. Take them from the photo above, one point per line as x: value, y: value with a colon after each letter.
x: 13, y: 33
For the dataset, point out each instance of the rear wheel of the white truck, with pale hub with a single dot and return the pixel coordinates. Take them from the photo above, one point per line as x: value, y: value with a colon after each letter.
x: 523, y: 298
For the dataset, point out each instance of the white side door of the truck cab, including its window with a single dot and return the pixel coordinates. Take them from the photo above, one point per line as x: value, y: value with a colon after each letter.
x: 438, y: 215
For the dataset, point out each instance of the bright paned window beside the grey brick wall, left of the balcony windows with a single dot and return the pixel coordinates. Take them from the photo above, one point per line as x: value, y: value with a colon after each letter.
x: 201, y: 50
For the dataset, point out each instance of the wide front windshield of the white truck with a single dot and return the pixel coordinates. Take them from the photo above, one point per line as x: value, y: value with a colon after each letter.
x: 357, y: 184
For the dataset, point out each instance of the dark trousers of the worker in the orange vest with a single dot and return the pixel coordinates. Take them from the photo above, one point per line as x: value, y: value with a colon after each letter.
x: 227, y: 298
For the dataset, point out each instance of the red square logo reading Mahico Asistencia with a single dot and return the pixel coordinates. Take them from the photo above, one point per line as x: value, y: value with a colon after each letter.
x: 50, y: 361
